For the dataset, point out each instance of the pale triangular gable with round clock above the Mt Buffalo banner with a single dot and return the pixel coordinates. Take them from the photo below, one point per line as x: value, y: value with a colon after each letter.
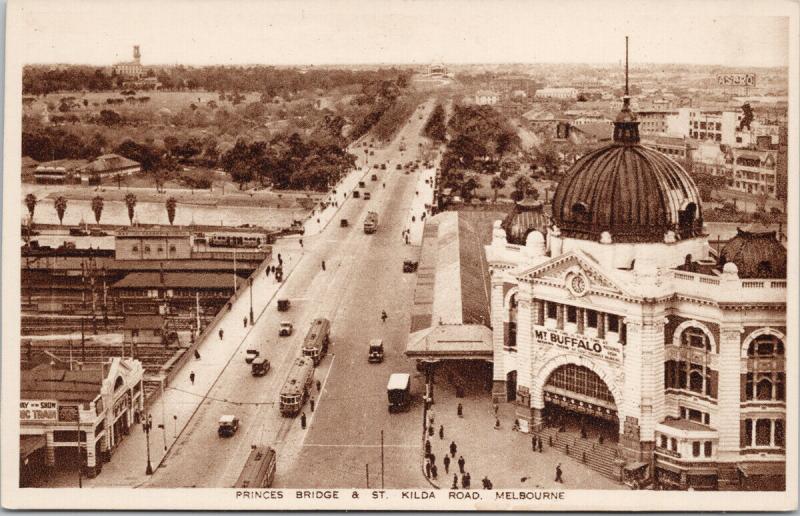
x: 576, y: 272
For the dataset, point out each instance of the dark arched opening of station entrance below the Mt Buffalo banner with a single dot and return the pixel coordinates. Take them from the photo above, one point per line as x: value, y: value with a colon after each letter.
x: 578, y: 400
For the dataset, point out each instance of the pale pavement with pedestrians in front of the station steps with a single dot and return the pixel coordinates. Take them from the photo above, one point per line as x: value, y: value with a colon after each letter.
x: 481, y: 445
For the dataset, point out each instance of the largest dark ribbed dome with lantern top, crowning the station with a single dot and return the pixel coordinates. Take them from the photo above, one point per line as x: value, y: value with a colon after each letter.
x: 635, y: 193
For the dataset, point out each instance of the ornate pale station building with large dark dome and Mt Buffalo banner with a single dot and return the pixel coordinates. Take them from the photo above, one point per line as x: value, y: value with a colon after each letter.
x: 619, y: 331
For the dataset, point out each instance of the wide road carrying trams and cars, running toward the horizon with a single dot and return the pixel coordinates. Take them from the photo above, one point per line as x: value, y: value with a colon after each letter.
x: 363, y: 276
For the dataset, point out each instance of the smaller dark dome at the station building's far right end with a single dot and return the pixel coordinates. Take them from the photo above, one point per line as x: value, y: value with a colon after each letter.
x: 757, y: 254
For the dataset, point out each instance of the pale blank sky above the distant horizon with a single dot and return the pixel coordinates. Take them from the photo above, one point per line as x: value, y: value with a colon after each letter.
x: 201, y: 32
